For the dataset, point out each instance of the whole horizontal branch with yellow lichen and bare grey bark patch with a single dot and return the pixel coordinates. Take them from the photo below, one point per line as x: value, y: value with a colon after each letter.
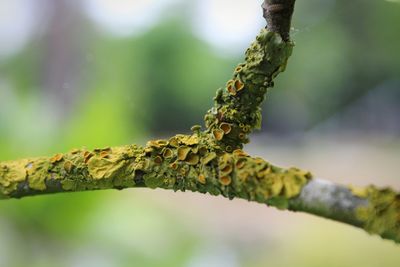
x: 189, y: 162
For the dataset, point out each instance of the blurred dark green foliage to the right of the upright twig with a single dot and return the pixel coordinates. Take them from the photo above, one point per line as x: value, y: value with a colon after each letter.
x: 343, y: 51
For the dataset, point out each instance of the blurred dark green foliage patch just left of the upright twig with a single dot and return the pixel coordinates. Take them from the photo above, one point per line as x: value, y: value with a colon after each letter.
x: 180, y: 74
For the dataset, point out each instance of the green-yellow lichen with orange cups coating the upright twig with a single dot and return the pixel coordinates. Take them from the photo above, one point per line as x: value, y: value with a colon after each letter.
x: 236, y: 111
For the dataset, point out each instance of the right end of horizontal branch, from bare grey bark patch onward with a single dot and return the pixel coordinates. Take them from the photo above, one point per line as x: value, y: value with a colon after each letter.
x: 375, y: 210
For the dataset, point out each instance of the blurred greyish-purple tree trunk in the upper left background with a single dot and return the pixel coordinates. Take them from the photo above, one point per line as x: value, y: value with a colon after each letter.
x: 60, y: 71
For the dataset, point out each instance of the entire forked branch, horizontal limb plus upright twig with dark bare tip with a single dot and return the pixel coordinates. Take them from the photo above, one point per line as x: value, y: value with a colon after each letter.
x: 211, y: 161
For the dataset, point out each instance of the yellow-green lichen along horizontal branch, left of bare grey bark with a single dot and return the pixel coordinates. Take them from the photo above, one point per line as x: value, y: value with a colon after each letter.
x: 183, y: 162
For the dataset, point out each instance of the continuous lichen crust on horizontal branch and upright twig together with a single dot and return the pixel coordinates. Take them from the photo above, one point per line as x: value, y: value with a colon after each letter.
x: 205, y: 161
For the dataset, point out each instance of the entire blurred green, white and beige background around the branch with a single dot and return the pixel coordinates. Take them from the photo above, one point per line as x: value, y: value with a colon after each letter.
x: 99, y: 73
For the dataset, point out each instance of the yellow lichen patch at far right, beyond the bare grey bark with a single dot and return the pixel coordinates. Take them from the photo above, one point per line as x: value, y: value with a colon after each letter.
x: 382, y: 214
